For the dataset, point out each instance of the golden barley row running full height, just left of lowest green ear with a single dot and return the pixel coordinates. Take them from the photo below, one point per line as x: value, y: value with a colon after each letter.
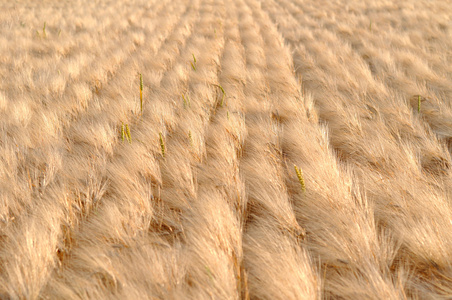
x: 272, y: 234
